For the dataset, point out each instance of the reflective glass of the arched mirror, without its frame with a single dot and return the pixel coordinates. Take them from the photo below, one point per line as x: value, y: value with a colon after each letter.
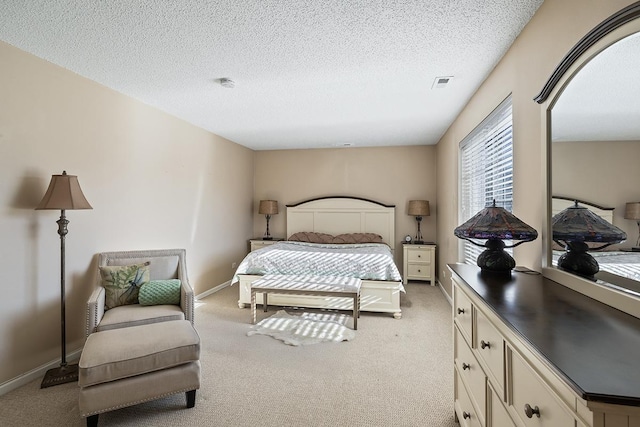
x: 595, y: 147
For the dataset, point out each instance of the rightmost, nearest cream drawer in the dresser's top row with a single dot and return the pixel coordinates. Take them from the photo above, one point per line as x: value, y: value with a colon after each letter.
x: 531, y: 400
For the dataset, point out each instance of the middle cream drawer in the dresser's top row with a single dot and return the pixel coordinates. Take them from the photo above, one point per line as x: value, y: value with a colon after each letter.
x: 490, y: 347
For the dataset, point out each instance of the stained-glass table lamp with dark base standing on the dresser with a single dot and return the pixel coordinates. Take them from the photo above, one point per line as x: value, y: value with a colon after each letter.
x: 495, y: 224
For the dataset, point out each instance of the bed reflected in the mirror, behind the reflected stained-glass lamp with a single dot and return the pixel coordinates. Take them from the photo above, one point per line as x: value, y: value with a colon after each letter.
x: 623, y: 263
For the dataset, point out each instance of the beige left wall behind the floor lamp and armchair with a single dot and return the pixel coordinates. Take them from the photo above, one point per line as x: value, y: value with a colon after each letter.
x: 154, y: 181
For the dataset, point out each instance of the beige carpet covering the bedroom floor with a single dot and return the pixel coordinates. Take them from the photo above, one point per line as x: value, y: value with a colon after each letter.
x: 394, y: 372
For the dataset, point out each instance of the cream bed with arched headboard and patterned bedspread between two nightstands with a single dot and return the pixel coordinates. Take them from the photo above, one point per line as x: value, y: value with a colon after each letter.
x: 337, y: 220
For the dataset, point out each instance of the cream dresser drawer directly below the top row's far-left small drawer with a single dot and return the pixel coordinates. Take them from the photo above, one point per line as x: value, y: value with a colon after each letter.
x: 470, y: 373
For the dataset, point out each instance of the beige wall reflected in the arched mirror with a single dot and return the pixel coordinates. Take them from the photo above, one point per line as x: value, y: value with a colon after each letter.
x: 605, y: 173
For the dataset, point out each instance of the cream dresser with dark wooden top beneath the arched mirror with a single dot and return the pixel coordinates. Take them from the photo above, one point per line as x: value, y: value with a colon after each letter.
x: 531, y: 352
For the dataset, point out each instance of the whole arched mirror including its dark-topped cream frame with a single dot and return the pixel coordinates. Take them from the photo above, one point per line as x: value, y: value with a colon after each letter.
x: 592, y: 142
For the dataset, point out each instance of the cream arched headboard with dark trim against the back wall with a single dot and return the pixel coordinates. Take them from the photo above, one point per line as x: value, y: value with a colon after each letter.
x: 337, y: 215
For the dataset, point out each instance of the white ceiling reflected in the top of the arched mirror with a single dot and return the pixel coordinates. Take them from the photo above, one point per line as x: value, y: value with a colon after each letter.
x: 601, y: 102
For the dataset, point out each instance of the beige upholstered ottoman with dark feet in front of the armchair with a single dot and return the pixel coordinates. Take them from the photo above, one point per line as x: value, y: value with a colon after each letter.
x: 127, y: 366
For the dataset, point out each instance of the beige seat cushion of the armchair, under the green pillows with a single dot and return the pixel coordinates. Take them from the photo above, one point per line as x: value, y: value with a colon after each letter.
x: 135, y: 315
